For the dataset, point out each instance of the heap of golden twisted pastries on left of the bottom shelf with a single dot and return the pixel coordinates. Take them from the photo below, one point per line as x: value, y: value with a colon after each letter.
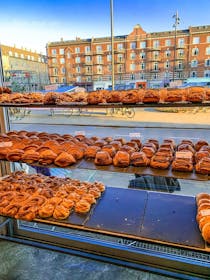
x: 24, y: 196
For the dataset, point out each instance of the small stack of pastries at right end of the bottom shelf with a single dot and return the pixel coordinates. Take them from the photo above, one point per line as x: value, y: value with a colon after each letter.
x: 203, y: 215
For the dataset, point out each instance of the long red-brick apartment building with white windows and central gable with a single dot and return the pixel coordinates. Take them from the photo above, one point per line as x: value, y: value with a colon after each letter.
x: 157, y: 58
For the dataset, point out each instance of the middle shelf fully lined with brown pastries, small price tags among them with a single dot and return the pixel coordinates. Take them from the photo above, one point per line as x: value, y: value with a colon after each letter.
x: 185, y: 159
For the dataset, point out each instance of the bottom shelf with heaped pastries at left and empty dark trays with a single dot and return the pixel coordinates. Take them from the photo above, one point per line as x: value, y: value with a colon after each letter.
x: 141, y: 215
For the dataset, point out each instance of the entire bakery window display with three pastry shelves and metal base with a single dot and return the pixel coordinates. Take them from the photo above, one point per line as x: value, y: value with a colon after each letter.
x: 163, y: 230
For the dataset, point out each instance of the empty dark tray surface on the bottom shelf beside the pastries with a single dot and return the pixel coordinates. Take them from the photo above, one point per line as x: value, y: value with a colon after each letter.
x: 141, y: 215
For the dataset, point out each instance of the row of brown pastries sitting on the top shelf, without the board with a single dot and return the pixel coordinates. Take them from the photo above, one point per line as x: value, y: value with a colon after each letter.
x: 131, y: 96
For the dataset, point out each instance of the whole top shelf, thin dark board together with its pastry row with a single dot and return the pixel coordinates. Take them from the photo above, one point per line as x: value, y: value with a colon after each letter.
x: 164, y: 97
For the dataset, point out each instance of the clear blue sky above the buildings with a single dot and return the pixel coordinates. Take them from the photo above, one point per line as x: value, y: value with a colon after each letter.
x: 32, y: 24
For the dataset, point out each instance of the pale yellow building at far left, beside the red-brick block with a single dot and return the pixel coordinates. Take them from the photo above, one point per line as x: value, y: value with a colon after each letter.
x: 23, y: 69
